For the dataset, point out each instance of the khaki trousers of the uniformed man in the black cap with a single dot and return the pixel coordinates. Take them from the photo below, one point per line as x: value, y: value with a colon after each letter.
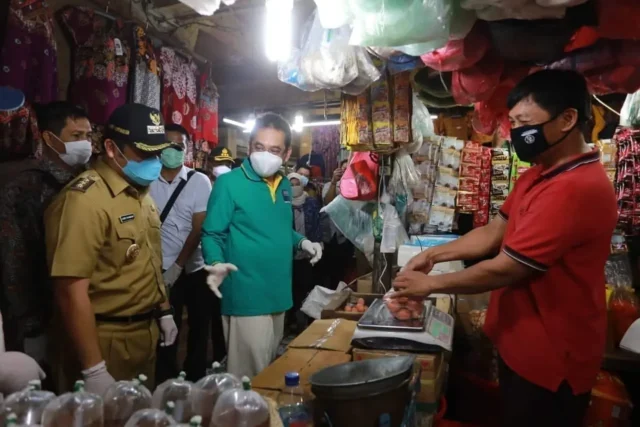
x: 128, y: 349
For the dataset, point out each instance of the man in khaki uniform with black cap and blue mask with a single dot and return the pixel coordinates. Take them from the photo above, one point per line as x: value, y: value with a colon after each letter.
x: 104, y: 254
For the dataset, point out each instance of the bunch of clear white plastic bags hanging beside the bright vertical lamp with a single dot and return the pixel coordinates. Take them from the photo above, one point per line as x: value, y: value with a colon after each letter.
x: 327, y: 61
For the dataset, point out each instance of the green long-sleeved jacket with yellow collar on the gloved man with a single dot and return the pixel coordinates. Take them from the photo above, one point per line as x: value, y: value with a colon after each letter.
x: 251, y: 226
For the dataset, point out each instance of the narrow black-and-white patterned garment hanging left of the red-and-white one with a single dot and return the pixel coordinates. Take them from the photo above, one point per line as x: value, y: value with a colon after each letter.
x: 146, y: 81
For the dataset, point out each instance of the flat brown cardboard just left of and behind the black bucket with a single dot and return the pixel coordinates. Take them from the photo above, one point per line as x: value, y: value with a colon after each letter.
x: 305, y: 362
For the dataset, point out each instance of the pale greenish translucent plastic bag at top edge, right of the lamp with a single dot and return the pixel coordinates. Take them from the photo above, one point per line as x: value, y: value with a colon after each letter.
x: 399, y: 22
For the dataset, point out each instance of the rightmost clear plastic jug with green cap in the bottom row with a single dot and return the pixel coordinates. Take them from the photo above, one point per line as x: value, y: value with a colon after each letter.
x: 241, y: 408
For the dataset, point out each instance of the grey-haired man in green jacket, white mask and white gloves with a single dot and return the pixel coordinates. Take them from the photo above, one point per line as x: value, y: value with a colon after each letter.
x: 248, y: 242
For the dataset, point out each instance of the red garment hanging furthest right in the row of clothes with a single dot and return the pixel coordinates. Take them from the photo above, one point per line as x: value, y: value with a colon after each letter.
x: 207, y: 123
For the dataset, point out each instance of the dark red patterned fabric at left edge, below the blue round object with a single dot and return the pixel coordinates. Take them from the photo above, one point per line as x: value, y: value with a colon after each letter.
x: 19, y: 135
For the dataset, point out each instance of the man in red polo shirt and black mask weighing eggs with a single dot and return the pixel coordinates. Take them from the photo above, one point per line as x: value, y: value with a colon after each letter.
x: 547, y: 313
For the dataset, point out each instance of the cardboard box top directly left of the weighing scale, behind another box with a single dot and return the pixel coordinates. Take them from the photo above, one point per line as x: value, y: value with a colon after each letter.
x: 326, y: 334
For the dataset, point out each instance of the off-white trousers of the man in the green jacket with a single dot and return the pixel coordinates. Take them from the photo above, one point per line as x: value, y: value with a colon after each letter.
x: 252, y: 342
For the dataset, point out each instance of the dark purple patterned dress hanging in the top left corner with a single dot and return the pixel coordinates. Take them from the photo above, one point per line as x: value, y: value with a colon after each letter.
x: 28, y: 59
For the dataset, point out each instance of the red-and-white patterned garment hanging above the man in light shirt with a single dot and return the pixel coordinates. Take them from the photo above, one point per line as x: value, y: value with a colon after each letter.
x: 179, y: 94
